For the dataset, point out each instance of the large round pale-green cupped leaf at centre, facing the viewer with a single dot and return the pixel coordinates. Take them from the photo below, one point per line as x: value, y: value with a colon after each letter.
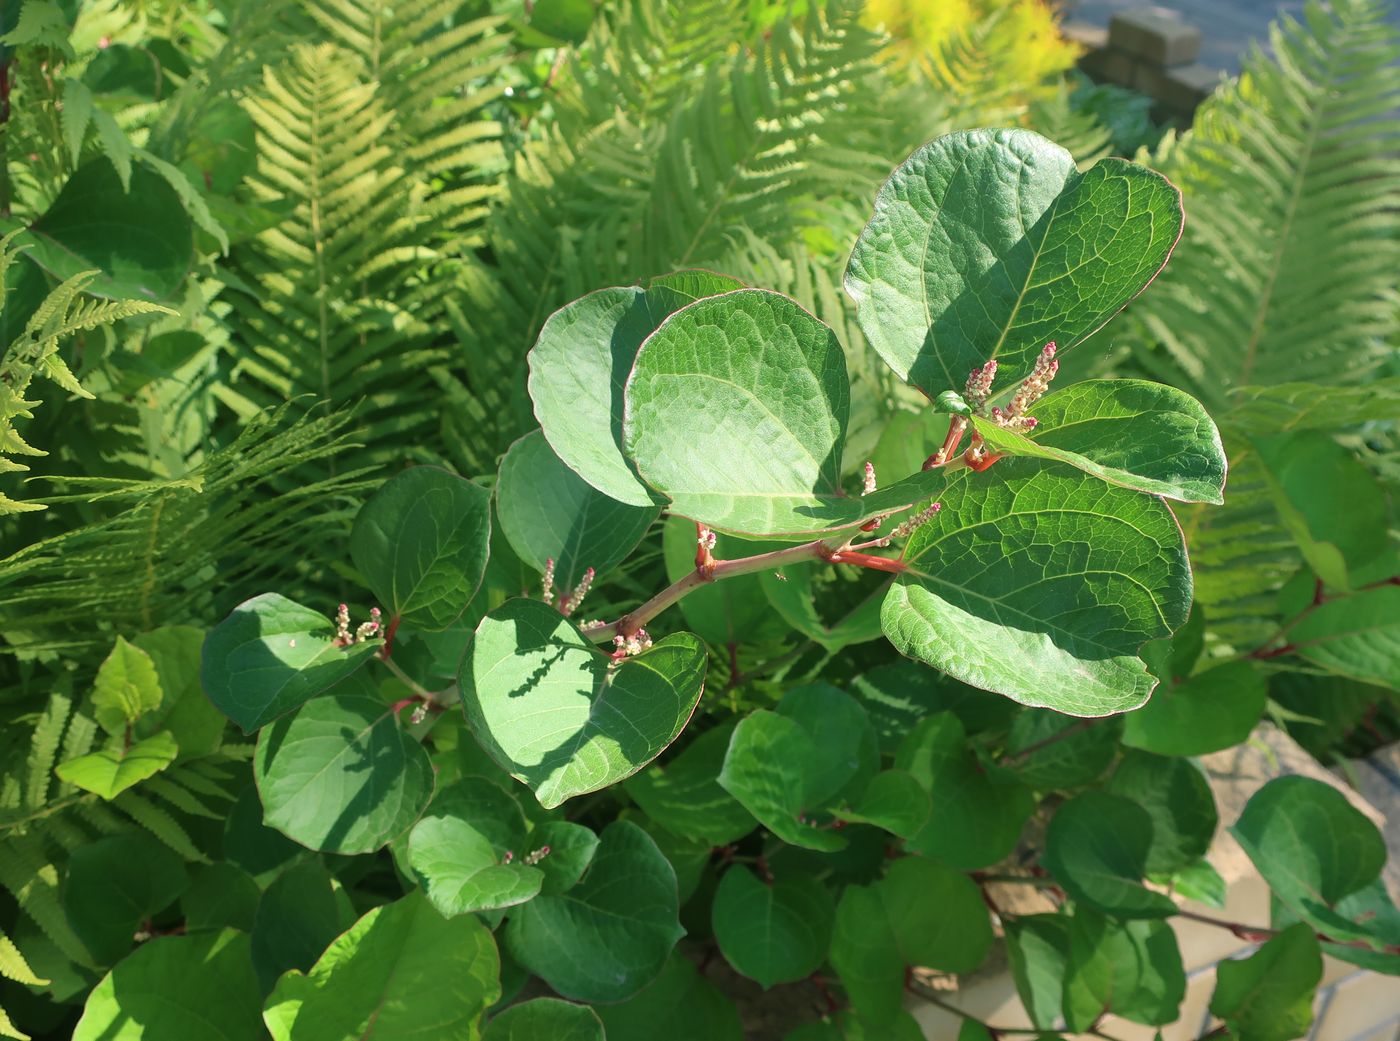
x: 778, y: 377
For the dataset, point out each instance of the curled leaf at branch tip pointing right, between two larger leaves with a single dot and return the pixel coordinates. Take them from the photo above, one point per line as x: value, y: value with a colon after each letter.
x: 1129, y: 433
